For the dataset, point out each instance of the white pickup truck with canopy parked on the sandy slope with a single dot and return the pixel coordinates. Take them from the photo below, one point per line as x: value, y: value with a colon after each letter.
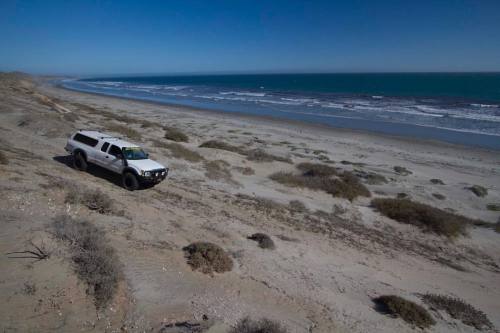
x: 116, y: 155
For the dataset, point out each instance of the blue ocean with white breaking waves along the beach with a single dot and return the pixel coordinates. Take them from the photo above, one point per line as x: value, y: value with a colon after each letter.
x: 461, y: 108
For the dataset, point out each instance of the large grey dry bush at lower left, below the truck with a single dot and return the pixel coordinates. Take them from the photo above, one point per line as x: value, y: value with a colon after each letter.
x: 95, y: 261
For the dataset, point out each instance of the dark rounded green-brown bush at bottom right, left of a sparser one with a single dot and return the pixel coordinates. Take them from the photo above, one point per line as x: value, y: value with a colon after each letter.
x: 407, y: 310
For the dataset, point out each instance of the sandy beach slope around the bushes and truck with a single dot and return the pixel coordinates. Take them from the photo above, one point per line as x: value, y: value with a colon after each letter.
x: 332, y: 255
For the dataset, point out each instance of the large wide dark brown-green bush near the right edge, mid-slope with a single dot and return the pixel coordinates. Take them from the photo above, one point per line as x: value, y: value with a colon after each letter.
x: 424, y: 216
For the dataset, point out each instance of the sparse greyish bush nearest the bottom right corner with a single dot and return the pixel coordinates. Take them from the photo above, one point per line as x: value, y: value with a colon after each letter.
x: 459, y: 309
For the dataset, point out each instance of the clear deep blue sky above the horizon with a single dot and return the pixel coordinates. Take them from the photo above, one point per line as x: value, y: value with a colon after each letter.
x: 113, y: 37
